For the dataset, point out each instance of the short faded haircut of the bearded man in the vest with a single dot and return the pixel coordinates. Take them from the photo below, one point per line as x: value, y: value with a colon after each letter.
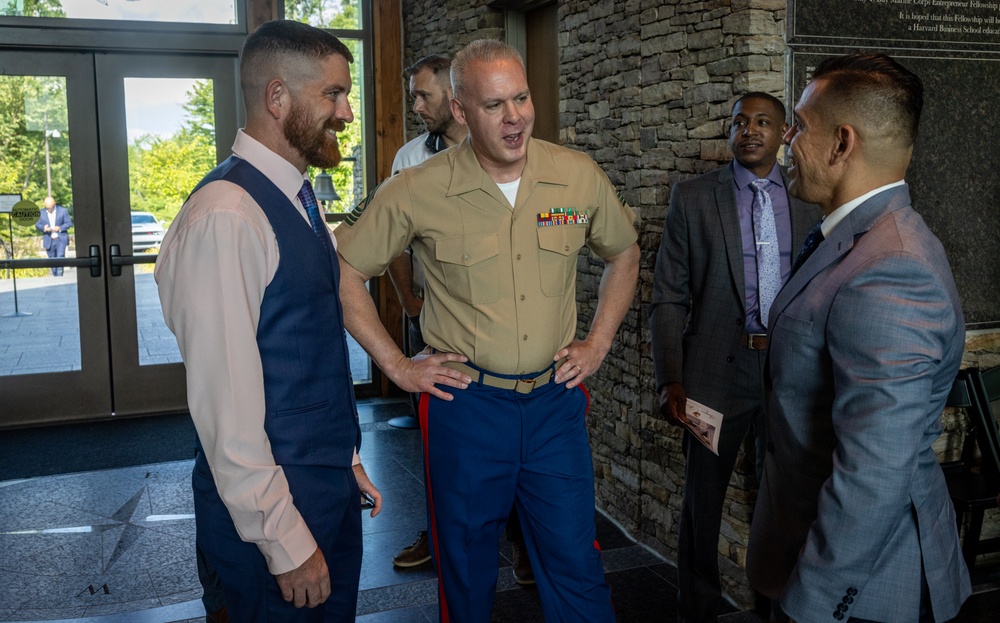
x: 276, y: 48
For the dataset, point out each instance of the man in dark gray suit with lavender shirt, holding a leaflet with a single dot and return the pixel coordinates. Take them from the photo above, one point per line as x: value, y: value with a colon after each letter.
x: 708, y: 330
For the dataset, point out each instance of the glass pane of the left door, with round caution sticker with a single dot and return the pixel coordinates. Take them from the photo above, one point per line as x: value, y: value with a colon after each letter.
x: 39, y: 315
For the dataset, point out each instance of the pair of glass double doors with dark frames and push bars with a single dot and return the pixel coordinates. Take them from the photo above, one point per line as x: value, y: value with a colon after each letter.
x: 117, y: 141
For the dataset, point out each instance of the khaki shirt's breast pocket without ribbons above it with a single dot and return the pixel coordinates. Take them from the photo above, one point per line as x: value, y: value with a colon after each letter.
x: 470, y: 267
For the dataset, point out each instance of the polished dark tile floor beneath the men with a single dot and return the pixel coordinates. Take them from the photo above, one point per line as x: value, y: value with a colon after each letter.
x: 116, y: 546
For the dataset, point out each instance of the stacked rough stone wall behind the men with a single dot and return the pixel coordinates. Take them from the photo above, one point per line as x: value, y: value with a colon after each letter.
x: 646, y: 87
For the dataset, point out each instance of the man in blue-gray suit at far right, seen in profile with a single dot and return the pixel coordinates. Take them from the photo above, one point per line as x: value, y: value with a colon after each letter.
x: 853, y: 518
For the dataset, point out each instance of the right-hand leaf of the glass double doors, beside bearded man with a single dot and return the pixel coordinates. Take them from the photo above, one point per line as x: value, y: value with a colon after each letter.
x: 164, y: 122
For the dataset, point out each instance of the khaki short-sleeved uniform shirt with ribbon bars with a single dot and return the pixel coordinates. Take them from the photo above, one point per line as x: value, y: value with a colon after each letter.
x: 501, y: 289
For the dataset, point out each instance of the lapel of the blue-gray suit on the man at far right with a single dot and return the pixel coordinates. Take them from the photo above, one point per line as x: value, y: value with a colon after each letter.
x: 841, y: 241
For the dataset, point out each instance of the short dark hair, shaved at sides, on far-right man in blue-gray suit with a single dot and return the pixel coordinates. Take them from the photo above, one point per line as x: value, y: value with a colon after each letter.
x: 885, y: 97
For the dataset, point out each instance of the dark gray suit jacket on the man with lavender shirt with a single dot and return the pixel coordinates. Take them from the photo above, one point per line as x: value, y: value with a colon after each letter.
x: 697, y: 310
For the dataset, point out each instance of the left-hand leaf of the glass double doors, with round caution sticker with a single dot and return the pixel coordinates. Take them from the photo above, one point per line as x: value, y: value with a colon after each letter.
x: 54, y: 360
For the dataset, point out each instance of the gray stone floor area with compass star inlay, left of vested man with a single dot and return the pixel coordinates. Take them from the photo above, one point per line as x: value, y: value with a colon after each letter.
x: 73, y: 546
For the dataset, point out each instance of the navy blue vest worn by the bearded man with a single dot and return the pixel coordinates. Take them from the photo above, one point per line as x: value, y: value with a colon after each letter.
x: 310, y: 415
